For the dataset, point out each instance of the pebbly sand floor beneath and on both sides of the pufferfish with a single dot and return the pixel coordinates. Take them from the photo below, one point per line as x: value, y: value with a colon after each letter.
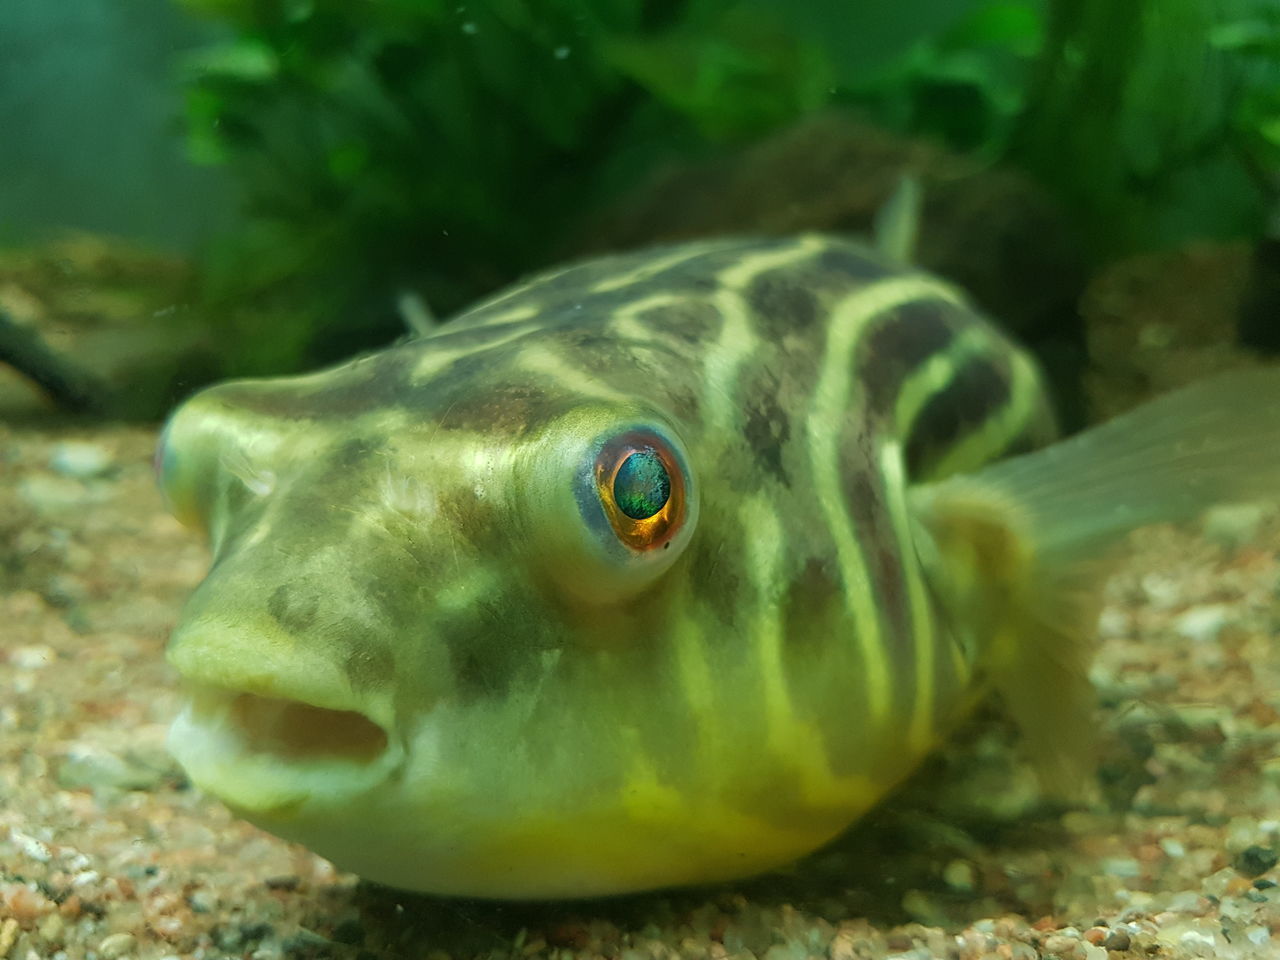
x: 107, y: 852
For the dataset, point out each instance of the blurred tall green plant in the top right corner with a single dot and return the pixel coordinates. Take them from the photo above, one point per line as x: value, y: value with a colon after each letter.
x: 1158, y: 121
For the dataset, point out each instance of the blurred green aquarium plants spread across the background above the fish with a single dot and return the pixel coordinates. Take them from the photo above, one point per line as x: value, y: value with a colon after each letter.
x: 446, y: 148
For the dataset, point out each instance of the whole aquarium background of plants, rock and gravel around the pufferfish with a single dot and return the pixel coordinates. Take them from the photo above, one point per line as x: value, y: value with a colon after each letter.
x: 212, y: 189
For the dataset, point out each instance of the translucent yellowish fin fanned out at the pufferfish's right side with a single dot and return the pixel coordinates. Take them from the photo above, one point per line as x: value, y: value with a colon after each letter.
x: 1018, y: 551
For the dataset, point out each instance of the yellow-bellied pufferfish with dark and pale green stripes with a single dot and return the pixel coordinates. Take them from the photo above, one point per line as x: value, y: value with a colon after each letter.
x: 656, y: 570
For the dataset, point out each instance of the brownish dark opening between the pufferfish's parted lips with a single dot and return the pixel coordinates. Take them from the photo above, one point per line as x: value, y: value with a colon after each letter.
x: 300, y: 732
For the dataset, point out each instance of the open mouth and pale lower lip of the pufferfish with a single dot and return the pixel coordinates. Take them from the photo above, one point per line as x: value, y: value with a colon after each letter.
x: 269, y: 757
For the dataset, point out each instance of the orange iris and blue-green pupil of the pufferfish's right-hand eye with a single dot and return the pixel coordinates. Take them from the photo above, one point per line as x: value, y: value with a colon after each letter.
x: 642, y: 488
